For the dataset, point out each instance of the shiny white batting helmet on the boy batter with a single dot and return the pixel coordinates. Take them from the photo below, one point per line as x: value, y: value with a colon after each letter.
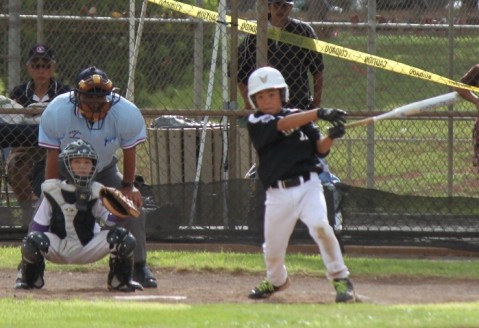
x: 266, y: 78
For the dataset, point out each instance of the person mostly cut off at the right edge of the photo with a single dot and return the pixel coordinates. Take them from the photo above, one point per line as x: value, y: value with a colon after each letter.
x: 472, y: 78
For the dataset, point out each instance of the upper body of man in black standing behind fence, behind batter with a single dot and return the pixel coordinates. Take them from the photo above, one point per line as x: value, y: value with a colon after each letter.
x: 293, y: 62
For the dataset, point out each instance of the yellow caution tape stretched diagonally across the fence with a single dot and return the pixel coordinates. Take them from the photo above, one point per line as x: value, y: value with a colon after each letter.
x: 315, y: 45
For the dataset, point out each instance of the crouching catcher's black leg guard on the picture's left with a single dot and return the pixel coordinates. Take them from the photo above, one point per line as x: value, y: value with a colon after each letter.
x: 30, y: 274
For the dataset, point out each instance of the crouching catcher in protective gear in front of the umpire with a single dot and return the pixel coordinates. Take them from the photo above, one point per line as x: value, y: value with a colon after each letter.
x: 65, y: 228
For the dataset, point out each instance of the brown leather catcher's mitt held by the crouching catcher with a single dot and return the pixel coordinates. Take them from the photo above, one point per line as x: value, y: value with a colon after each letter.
x: 117, y: 203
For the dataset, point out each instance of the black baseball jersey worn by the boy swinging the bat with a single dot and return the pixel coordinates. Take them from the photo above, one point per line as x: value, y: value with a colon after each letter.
x: 283, y: 154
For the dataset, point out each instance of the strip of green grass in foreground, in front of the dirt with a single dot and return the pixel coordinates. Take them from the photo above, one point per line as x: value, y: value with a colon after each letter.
x: 75, y: 313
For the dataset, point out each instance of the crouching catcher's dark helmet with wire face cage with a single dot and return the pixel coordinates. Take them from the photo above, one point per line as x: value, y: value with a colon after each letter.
x: 77, y: 149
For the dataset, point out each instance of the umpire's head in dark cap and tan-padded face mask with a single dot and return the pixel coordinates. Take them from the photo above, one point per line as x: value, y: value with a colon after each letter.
x: 94, y: 96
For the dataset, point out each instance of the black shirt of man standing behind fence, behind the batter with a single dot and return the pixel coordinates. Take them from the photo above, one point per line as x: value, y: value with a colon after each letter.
x: 292, y: 61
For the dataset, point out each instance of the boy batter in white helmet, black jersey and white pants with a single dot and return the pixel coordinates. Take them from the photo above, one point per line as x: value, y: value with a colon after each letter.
x: 288, y: 144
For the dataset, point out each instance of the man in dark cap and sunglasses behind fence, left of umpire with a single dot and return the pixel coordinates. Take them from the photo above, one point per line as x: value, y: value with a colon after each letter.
x: 38, y: 91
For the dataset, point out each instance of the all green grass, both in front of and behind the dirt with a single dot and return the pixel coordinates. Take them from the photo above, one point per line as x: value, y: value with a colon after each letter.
x: 110, y: 313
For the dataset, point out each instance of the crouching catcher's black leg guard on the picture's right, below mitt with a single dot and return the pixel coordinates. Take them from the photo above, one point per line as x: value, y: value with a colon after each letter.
x: 122, y: 245
